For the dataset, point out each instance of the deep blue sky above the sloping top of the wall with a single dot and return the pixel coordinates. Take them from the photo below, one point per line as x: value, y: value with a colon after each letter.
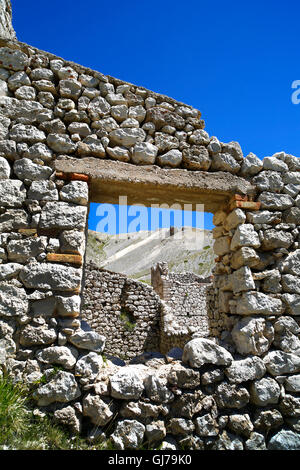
x: 233, y: 60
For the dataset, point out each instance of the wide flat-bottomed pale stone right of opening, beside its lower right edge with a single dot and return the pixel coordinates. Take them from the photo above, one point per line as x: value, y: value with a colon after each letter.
x: 251, y: 303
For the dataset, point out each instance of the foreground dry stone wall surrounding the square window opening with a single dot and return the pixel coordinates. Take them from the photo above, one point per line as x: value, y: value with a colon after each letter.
x: 237, y: 392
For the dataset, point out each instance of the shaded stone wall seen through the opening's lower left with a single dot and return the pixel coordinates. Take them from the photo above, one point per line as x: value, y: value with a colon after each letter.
x: 125, y: 311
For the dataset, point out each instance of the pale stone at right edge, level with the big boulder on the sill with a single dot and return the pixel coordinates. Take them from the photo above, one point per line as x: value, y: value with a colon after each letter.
x: 280, y: 362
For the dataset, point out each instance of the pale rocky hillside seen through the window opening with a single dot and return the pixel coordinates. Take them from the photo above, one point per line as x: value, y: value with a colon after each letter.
x: 135, y: 253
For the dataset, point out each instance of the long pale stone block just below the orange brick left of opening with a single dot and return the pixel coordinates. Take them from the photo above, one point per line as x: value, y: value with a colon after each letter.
x: 49, y: 276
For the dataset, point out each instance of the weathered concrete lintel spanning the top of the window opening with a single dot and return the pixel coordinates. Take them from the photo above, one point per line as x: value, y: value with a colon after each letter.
x: 154, y: 185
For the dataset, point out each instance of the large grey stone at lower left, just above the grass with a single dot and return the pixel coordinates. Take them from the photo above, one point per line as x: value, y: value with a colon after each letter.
x: 62, y: 388
